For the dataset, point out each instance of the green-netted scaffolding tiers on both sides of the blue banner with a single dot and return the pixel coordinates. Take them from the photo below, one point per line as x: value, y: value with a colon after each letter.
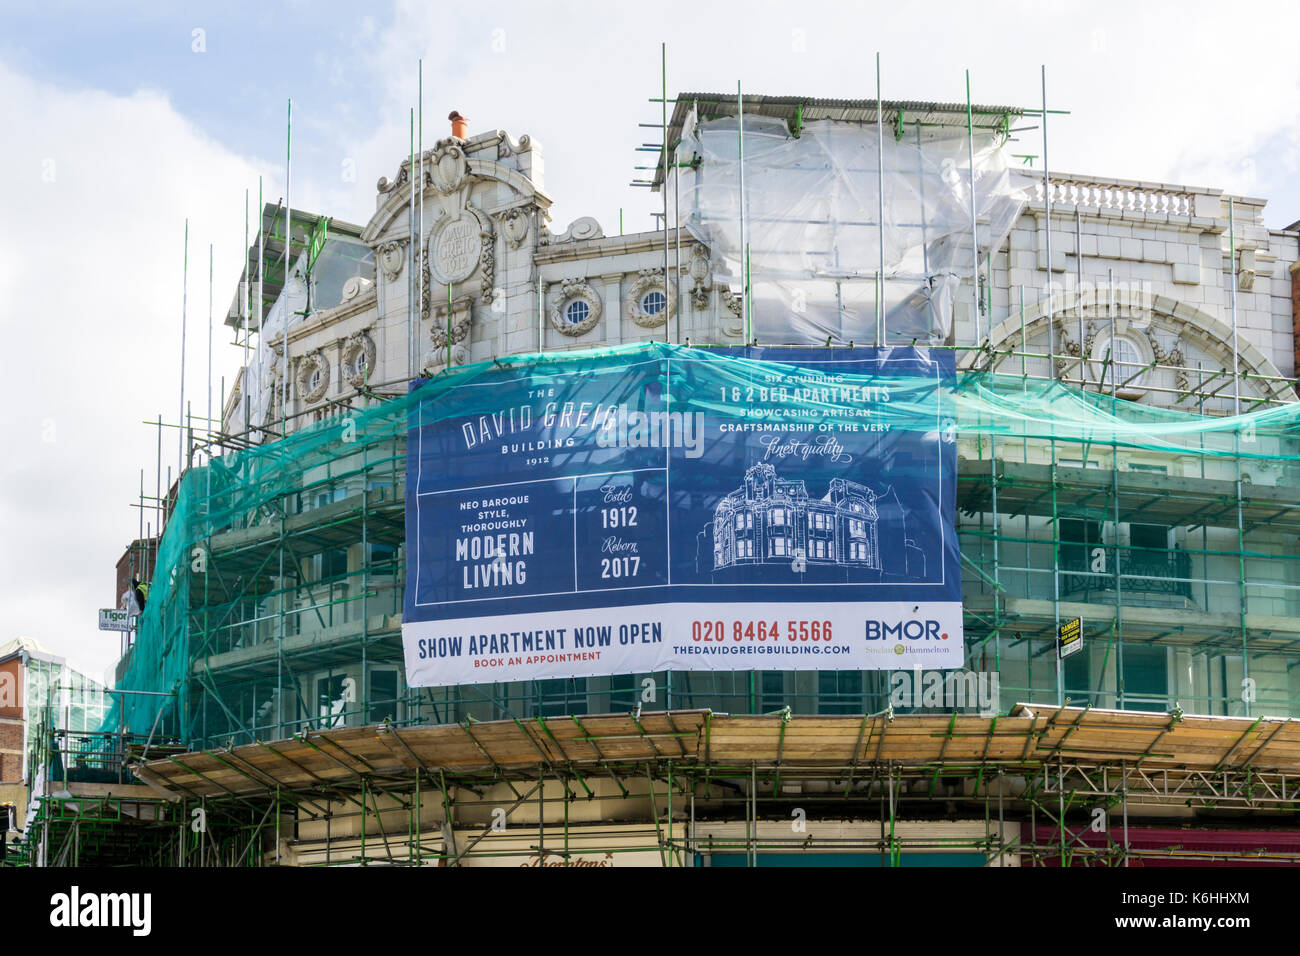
x: 283, y: 609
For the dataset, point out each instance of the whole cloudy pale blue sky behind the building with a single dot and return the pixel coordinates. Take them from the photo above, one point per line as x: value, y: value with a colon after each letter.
x: 124, y: 122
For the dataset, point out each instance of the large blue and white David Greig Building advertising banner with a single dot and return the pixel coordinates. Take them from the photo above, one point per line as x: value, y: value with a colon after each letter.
x: 679, y: 509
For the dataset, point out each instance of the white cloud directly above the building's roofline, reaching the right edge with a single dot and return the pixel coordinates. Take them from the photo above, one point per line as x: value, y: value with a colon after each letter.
x: 1175, y: 93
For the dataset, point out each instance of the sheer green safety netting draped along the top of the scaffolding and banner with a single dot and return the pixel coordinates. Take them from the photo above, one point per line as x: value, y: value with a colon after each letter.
x: 246, y: 488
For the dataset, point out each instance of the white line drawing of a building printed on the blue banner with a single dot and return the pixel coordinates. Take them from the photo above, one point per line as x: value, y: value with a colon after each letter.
x: 772, y: 521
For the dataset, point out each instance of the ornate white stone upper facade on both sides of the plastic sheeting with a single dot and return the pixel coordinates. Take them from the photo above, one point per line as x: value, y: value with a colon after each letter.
x: 512, y: 285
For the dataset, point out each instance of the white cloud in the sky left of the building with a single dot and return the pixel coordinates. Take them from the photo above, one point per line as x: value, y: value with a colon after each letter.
x: 97, y: 193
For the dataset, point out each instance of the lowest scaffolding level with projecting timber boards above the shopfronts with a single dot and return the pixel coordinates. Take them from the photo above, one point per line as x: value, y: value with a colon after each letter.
x: 695, y: 788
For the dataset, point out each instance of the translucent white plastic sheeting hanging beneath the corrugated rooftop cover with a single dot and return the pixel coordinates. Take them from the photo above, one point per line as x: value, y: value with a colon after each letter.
x: 813, y: 224
